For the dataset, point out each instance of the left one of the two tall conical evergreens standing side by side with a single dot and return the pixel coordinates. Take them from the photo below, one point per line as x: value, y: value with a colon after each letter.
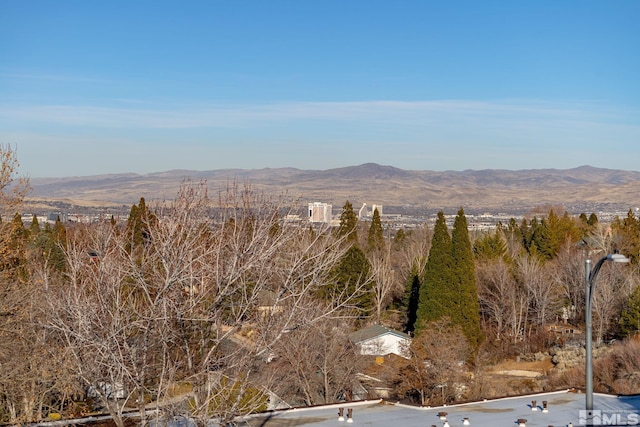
x: 436, y: 293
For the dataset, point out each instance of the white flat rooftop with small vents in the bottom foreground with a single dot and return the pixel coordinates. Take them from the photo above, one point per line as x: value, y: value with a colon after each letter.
x: 564, y: 409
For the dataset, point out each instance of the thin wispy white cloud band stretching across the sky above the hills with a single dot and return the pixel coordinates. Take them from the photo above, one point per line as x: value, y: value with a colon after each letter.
x: 520, y: 113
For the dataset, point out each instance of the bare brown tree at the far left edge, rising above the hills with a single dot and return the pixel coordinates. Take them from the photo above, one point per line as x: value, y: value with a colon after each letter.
x: 28, y: 360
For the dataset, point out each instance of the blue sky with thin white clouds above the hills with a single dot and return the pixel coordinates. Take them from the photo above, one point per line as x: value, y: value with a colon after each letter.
x: 89, y: 87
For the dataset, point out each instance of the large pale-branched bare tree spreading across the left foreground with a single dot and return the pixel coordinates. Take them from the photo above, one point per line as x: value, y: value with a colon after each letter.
x: 141, y: 318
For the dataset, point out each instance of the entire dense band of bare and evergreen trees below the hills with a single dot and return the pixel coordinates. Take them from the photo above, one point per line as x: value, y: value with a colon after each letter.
x: 222, y: 302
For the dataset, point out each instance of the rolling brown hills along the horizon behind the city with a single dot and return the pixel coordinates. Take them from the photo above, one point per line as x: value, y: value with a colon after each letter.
x: 575, y: 189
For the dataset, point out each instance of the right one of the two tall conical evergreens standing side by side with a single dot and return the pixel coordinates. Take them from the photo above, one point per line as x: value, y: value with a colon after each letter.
x: 465, y: 310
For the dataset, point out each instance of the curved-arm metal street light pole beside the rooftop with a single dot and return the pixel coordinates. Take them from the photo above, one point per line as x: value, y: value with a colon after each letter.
x: 590, y: 280
